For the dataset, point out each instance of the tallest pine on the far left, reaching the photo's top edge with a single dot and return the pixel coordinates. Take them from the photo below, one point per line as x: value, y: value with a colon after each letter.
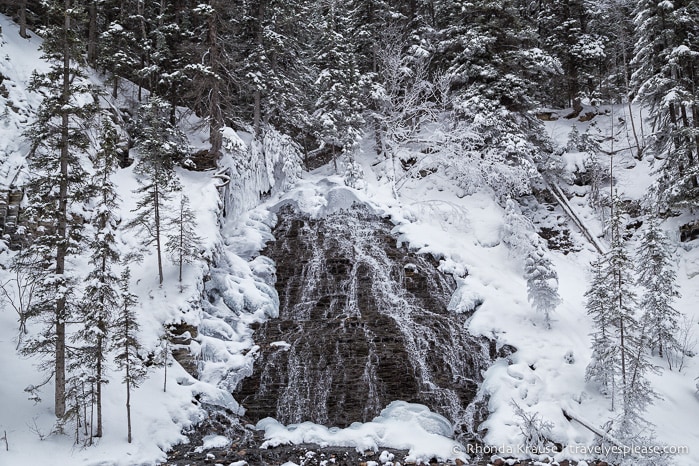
x: 57, y: 187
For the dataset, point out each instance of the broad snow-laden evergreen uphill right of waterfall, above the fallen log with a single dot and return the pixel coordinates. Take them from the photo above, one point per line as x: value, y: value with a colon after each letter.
x: 494, y: 67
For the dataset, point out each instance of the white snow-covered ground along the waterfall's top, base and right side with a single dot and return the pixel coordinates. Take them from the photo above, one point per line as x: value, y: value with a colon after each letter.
x: 546, y: 374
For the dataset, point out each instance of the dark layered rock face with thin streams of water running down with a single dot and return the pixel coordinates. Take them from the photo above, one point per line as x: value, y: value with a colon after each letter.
x: 363, y: 323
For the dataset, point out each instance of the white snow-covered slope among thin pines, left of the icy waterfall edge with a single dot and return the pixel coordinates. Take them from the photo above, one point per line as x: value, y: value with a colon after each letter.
x: 158, y: 417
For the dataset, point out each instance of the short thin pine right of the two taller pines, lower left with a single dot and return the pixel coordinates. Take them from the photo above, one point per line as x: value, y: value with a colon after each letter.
x: 126, y: 344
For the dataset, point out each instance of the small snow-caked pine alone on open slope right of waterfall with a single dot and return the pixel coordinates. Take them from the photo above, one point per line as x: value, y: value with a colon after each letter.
x: 542, y: 281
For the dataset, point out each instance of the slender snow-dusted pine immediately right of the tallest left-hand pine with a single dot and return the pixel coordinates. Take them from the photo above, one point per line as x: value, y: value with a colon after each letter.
x: 101, y: 300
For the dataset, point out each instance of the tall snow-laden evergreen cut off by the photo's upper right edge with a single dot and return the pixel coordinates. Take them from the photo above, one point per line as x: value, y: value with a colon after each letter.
x: 667, y: 83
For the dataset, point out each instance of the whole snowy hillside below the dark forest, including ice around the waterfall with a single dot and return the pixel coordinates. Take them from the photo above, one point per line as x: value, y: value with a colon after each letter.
x: 443, y: 199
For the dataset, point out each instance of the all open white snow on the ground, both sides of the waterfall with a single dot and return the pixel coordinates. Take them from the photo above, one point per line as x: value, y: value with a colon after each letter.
x: 545, y: 375
